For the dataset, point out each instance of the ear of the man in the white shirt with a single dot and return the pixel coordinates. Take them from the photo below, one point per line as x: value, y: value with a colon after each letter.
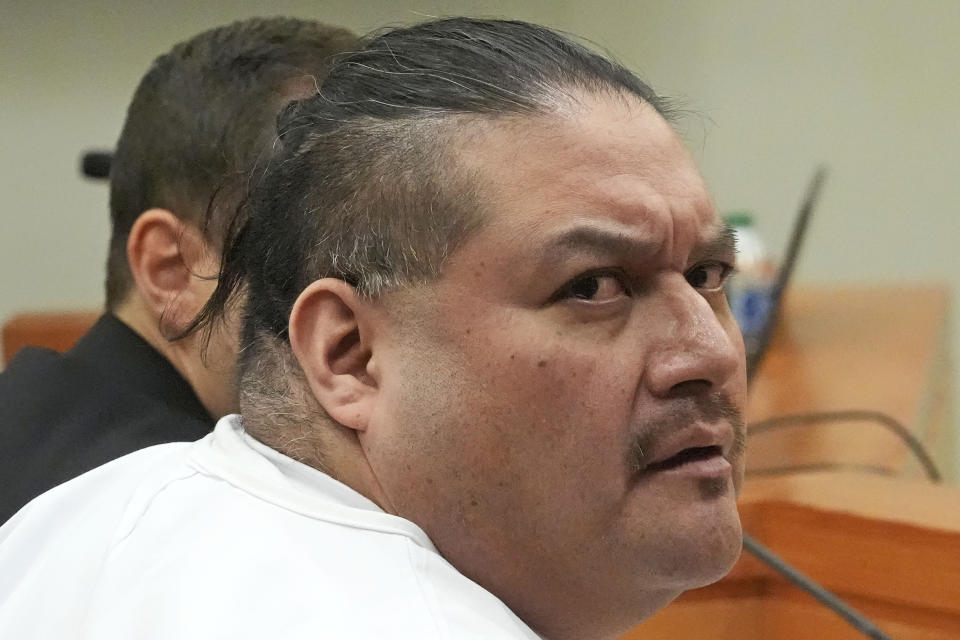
x: 331, y: 340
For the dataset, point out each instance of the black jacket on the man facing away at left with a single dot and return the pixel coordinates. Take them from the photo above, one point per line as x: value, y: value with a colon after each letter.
x: 64, y: 414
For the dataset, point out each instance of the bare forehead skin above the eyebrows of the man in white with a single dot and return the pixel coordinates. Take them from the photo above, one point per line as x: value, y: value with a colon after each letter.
x: 617, y: 147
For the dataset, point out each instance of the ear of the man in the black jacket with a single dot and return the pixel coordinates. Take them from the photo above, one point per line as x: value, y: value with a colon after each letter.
x: 171, y: 265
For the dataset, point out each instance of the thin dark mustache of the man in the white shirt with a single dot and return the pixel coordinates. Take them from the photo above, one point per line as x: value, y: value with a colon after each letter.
x: 709, y: 408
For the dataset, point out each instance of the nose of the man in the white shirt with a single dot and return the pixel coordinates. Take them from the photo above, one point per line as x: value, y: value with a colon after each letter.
x: 697, y: 347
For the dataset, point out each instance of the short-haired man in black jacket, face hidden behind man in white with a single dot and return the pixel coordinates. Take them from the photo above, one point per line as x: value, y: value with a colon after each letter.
x: 200, y: 121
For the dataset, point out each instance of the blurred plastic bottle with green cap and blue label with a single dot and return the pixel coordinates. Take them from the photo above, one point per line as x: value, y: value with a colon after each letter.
x: 749, y: 291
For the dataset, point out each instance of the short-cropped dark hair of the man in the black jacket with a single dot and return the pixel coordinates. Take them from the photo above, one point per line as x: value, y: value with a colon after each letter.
x: 199, y: 119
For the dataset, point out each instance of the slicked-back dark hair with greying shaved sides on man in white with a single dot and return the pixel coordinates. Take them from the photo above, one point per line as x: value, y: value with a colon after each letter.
x: 365, y: 185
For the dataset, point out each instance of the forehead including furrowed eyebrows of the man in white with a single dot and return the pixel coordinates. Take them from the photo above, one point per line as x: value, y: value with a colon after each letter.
x: 608, y: 176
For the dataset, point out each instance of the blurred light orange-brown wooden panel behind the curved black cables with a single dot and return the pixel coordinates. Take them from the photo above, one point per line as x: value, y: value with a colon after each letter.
x: 882, y: 348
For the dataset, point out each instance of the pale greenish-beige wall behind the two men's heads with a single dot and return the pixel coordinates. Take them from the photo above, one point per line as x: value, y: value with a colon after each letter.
x: 869, y: 87
